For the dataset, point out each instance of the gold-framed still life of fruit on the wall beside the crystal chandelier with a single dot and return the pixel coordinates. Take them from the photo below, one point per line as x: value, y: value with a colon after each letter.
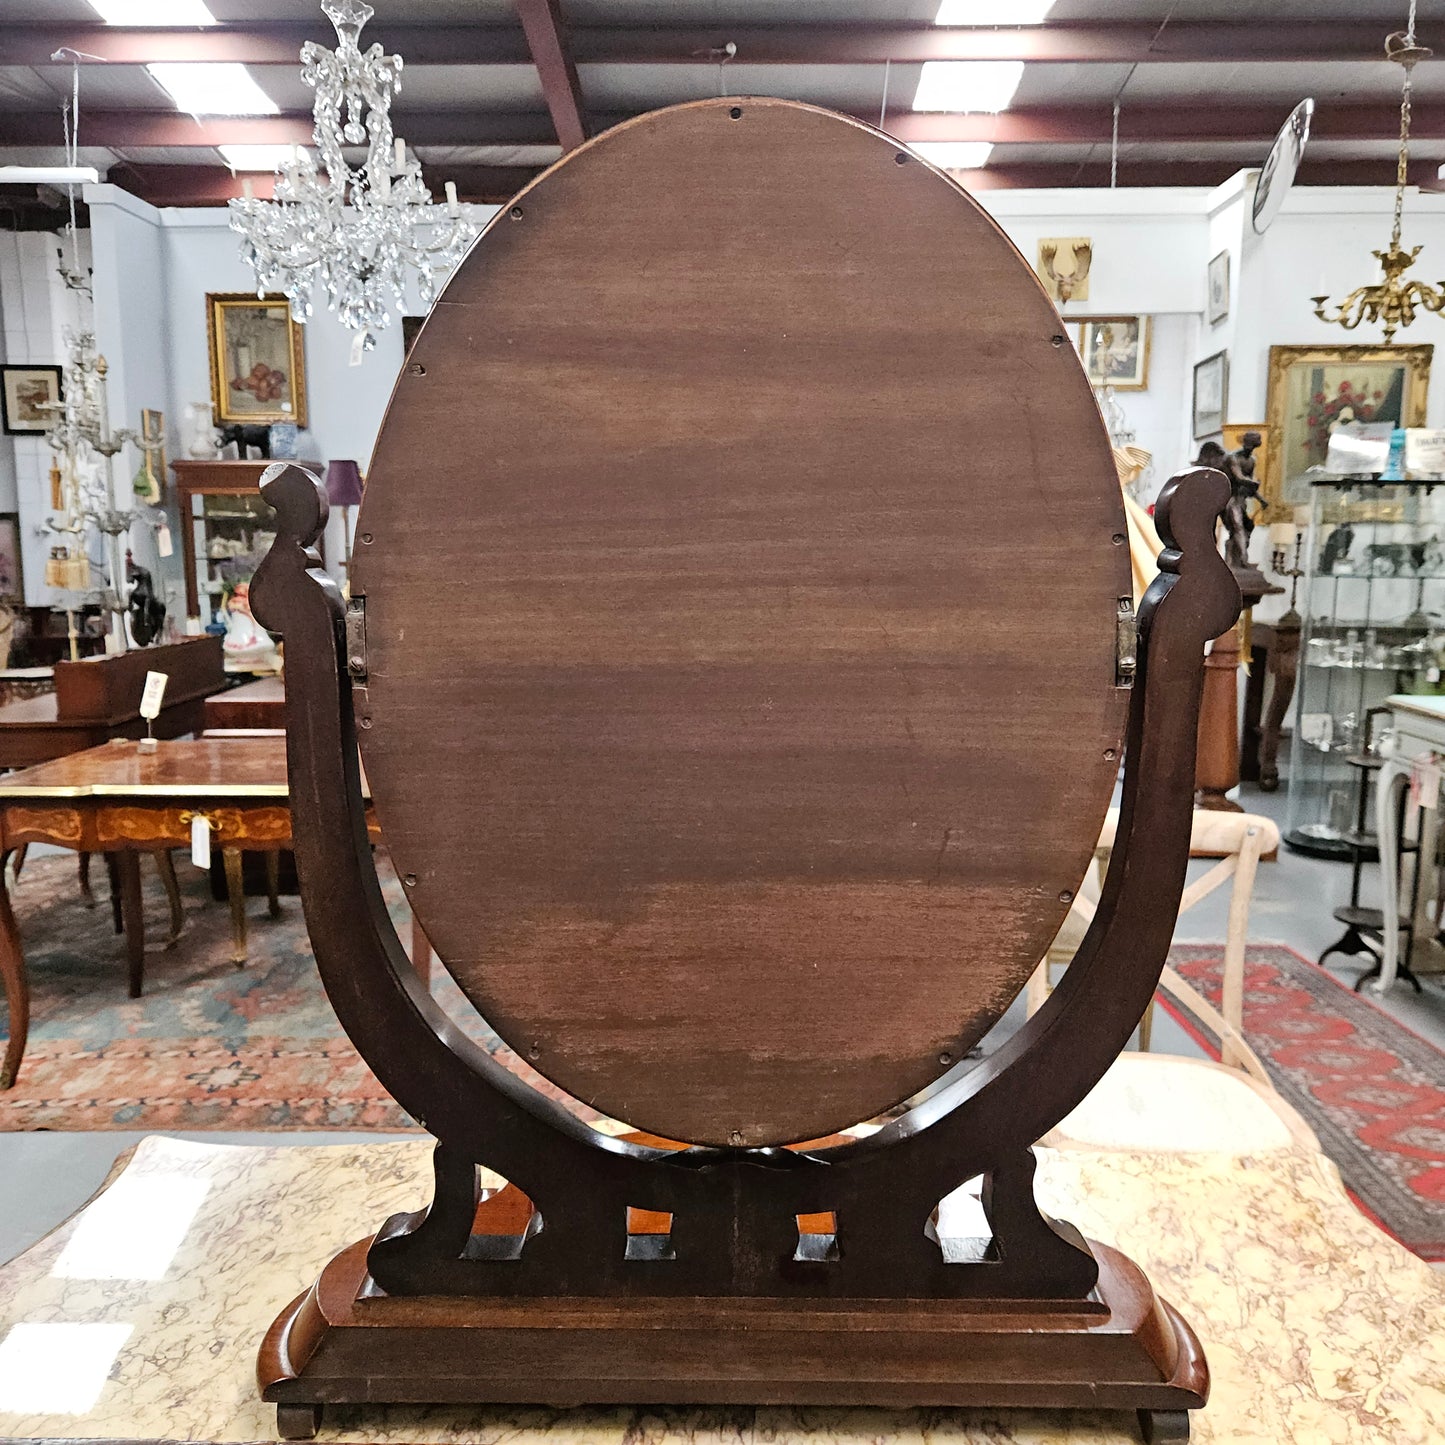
x: 258, y: 366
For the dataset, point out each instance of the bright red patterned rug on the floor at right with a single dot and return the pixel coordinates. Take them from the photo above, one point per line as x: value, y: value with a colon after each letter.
x: 1371, y: 1089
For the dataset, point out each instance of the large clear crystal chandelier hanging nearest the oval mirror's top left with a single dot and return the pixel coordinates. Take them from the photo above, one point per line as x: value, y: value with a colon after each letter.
x: 355, y: 230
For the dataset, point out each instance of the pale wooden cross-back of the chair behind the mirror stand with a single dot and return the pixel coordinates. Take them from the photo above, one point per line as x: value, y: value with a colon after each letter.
x: 1241, y: 843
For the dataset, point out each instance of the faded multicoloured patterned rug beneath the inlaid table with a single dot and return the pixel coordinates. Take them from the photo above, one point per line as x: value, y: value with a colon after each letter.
x: 210, y: 1045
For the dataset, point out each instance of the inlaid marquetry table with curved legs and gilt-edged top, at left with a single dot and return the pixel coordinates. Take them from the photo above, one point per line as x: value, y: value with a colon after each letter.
x: 122, y: 801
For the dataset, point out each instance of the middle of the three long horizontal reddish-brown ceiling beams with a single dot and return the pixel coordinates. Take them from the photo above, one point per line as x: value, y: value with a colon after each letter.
x: 1058, y: 125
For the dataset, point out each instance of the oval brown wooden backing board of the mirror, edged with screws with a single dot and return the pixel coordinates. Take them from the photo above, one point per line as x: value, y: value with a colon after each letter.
x: 741, y: 563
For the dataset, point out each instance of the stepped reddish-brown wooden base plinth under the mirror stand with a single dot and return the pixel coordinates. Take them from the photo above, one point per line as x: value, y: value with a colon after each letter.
x: 1125, y: 1349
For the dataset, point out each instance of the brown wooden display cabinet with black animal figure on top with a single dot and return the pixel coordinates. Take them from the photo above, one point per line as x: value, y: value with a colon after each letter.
x: 226, y: 527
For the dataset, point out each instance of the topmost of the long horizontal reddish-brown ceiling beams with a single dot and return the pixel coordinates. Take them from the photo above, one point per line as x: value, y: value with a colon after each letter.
x: 1095, y: 43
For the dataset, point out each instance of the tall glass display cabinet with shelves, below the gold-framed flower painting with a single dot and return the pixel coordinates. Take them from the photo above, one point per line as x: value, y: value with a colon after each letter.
x: 1375, y: 625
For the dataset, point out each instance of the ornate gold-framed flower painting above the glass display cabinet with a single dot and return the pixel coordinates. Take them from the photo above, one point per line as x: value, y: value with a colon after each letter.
x: 1313, y: 391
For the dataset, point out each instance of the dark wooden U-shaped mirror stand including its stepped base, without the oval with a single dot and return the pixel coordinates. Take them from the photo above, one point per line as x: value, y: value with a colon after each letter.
x: 564, y: 1311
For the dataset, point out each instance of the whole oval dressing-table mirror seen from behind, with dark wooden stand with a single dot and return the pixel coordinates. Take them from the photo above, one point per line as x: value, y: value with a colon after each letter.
x: 752, y: 703
